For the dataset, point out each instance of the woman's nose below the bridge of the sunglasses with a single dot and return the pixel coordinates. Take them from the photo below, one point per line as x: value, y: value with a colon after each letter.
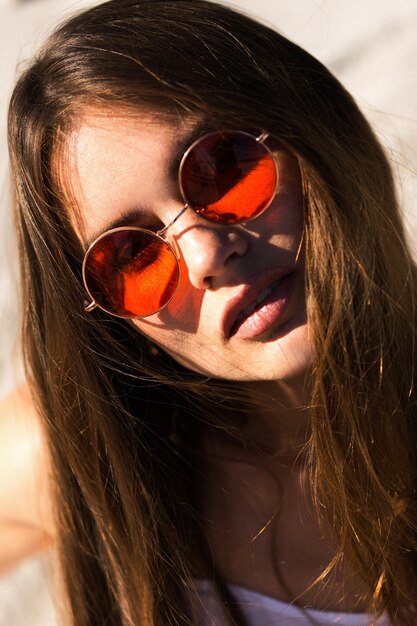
x: 208, y: 249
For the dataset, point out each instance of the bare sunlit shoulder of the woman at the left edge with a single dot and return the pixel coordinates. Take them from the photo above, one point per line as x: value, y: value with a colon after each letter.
x: 26, y: 522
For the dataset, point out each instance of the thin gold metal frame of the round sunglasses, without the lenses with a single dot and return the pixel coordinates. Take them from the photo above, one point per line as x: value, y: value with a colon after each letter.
x: 161, y: 234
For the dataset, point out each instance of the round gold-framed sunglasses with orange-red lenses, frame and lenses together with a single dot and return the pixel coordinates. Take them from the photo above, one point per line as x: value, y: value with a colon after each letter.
x: 227, y: 177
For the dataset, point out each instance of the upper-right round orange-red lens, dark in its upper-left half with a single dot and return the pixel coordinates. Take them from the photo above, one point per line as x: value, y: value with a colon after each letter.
x: 228, y: 177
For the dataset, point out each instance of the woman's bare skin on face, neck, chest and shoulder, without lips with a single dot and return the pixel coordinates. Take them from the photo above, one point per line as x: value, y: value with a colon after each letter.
x: 260, y: 519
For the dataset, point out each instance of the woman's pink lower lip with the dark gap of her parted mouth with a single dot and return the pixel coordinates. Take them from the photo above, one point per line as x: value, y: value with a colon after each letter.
x: 269, y: 308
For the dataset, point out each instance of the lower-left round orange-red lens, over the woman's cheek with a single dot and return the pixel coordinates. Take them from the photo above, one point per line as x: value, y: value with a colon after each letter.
x: 131, y: 272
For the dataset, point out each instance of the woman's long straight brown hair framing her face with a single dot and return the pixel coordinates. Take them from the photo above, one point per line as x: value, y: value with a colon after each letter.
x: 127, y: 510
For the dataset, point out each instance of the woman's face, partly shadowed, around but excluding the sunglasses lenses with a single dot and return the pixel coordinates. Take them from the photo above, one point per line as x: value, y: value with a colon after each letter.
x: 239, y: 312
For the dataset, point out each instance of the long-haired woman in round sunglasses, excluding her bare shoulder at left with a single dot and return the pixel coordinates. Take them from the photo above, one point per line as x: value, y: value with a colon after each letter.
x: 219, y: 326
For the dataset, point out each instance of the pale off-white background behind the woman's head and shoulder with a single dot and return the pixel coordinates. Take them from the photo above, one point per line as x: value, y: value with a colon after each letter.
x: 370, y: 45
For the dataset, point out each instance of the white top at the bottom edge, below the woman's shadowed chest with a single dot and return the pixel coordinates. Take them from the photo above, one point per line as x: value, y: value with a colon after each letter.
x: 262, y: 610
